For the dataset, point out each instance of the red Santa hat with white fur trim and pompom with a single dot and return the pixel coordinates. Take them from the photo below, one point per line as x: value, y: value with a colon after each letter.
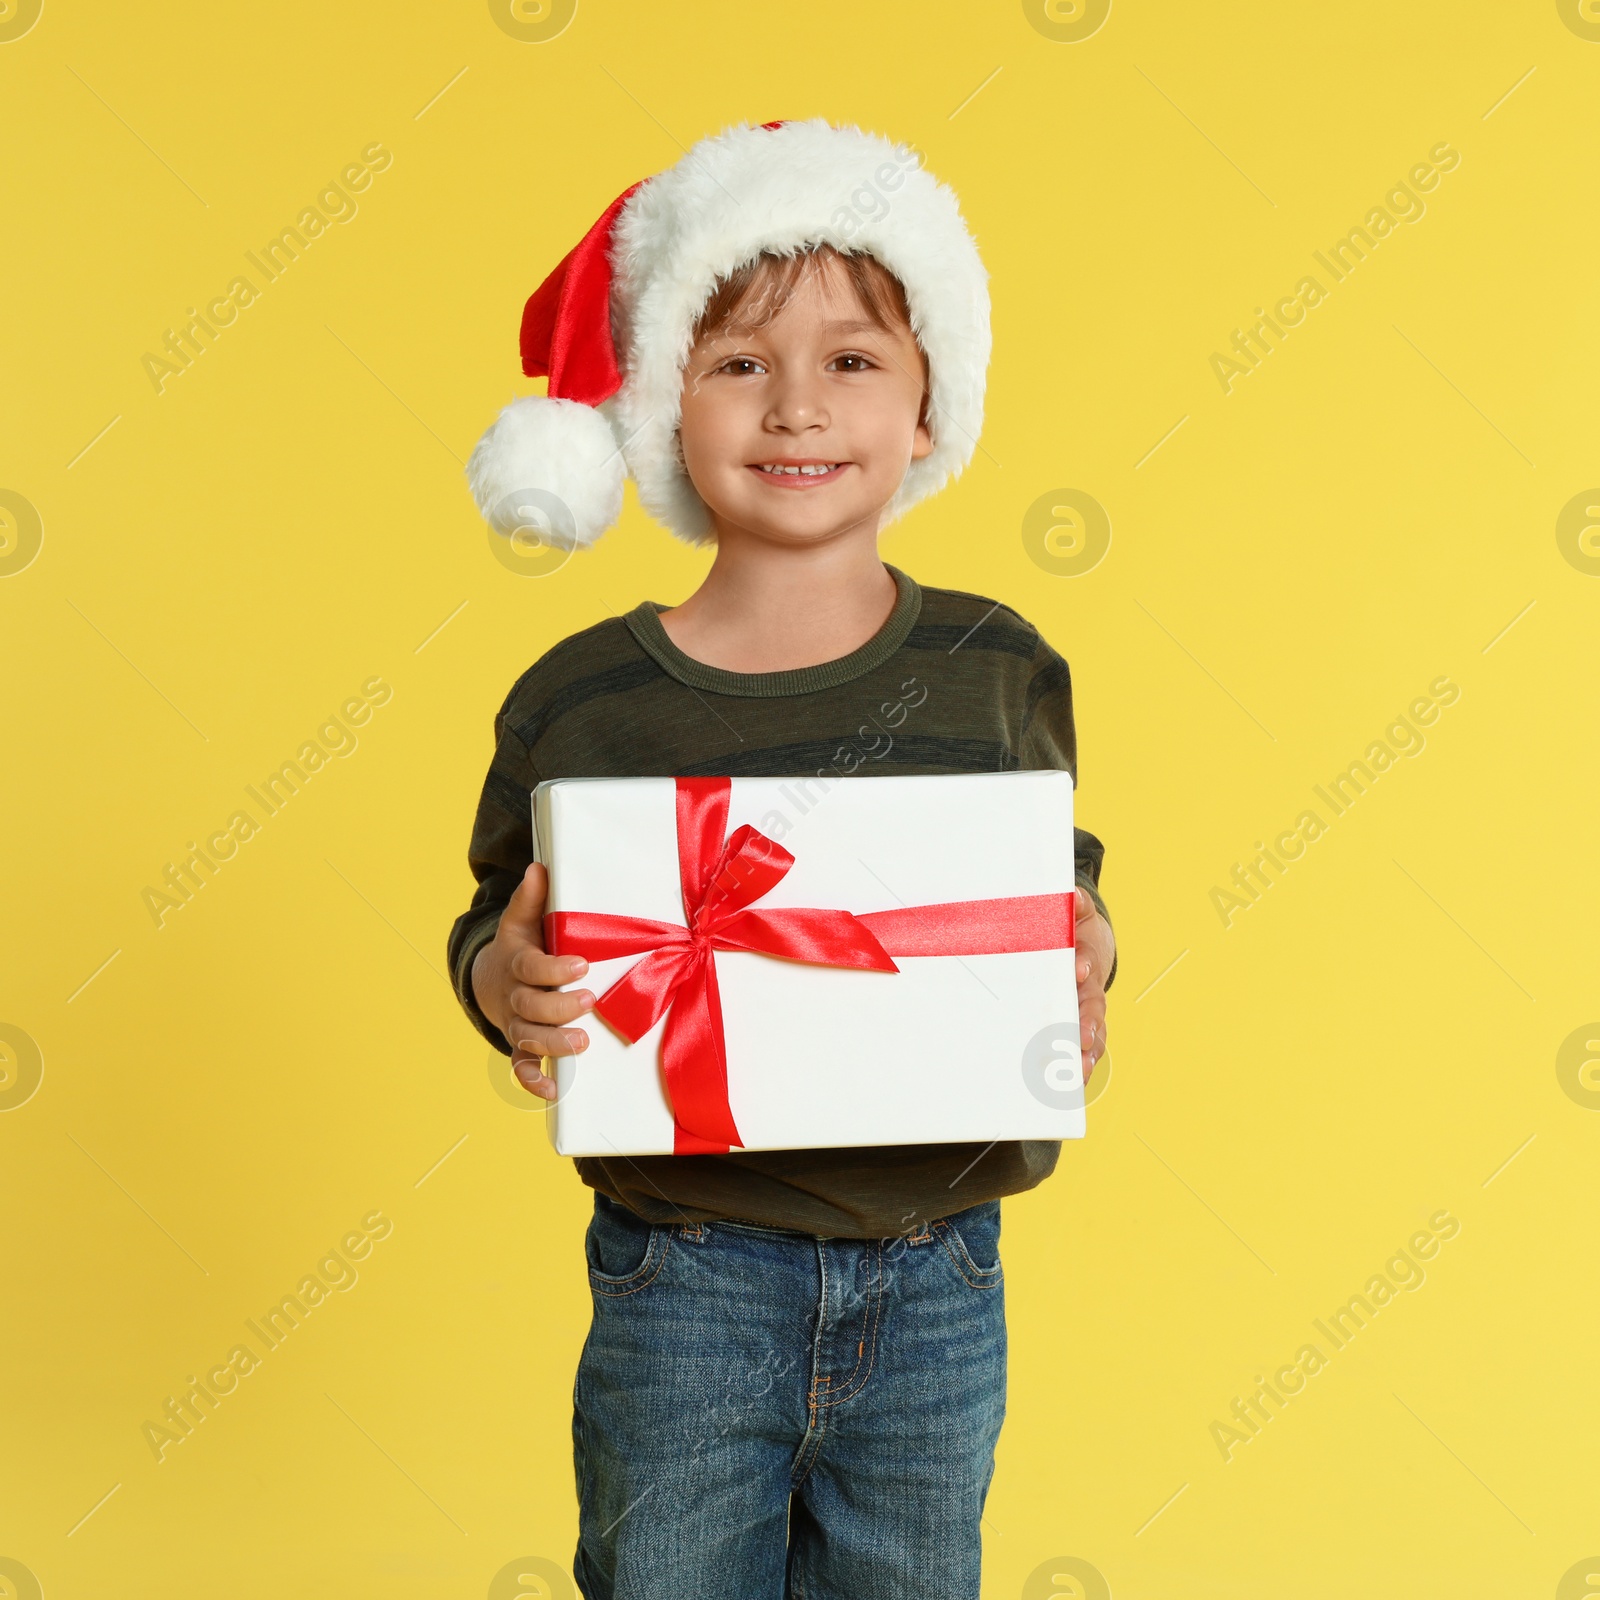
x: 612, y: 327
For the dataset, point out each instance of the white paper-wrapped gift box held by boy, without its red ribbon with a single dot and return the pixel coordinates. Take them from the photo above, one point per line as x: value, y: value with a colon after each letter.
x: 948, y: 1049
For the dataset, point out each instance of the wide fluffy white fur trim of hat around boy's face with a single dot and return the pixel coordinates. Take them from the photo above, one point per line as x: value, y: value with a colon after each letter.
x: 756, y: 190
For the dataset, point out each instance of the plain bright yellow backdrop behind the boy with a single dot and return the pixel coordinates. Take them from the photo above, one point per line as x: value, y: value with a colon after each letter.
x: 226, y: 562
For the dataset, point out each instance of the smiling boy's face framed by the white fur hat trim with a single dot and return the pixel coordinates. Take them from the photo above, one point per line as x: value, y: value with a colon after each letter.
x: 802, y: 380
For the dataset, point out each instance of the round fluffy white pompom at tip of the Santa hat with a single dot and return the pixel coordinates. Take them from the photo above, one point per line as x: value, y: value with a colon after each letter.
x: 553, y: 465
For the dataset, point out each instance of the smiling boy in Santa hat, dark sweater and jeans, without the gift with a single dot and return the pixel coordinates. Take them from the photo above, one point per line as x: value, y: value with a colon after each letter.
x: 796, y: 1372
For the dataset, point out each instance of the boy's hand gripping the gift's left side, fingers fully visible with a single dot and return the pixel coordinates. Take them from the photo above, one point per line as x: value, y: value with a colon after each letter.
x: 514, y: 980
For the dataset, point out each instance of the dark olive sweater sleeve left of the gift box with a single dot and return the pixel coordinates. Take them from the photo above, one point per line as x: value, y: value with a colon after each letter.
x: 498, y: 855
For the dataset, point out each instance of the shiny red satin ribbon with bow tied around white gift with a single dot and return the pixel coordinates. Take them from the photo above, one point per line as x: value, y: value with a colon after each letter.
x: 721, y: 879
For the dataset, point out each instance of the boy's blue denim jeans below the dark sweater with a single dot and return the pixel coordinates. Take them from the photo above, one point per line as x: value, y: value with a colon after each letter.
x: 769, y: 1415
